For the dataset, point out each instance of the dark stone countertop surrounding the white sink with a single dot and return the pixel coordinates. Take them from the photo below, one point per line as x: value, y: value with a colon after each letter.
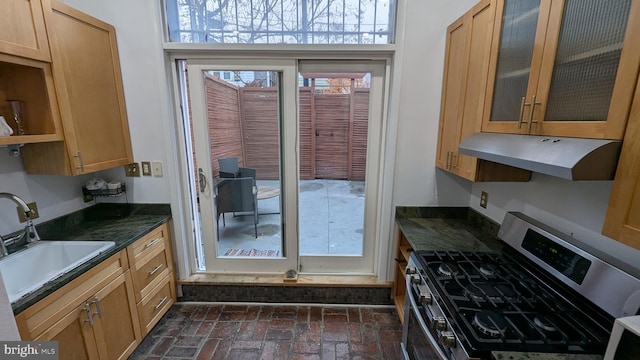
x: 121, y: 223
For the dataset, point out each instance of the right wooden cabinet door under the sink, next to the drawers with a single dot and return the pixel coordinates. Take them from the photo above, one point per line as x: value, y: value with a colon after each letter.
x: 116, y: 327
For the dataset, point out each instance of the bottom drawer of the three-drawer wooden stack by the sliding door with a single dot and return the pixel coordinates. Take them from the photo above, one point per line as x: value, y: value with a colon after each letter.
x: 154, y: 305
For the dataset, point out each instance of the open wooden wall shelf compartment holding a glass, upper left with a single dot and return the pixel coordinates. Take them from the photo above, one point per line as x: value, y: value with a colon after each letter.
x: 30, y: 83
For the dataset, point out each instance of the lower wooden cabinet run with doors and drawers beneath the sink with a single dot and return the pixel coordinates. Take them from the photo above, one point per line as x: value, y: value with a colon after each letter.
x: 106, y: 312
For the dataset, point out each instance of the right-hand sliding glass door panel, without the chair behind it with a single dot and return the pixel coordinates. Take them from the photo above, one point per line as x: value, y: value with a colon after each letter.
x: 339, y: 117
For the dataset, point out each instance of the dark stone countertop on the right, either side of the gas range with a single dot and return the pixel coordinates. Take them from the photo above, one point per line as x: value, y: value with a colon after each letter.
x: 462, y: 229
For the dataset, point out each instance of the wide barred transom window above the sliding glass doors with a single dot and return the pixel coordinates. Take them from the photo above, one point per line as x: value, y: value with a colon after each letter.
x: 281, y: 21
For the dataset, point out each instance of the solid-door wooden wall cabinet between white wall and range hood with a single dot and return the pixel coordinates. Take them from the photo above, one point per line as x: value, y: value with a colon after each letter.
x: 465, y: 78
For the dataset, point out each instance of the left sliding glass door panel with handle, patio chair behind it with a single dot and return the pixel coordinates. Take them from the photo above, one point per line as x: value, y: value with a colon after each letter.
x: 235, y: 126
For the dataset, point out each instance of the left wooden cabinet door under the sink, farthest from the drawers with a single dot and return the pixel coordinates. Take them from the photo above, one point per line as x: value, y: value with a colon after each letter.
x: 74, y: 335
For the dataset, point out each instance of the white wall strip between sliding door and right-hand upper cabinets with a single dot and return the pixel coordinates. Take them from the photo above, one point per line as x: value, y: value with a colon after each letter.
x: 417, y: 182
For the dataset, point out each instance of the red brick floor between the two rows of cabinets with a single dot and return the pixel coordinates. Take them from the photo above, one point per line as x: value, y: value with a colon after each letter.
x: 197, y: 331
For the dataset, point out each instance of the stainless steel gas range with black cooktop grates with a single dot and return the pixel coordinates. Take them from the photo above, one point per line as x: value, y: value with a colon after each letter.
x: 542, y: 294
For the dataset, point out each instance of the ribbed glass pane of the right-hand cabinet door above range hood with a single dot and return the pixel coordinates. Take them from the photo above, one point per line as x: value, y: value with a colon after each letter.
x: 586, y: 60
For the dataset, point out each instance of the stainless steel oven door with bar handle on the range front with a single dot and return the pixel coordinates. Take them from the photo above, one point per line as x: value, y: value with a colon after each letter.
x: 417, y: 341
